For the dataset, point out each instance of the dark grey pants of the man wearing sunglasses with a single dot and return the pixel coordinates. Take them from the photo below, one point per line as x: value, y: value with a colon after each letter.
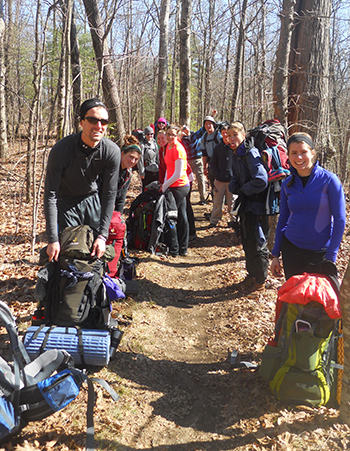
x: 74, y: 212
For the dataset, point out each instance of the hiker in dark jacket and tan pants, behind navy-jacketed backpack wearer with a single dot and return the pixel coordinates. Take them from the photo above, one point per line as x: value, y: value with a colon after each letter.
x: 221, y: 169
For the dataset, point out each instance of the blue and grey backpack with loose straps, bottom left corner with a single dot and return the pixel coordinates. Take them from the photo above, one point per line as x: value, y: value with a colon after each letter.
x: 31, y: 390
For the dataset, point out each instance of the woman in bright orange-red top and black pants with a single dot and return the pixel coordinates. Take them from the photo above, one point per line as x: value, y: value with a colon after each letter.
x: 177, y: 182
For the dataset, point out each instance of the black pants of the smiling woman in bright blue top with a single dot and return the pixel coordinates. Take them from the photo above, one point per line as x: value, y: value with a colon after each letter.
x: 296, y: 259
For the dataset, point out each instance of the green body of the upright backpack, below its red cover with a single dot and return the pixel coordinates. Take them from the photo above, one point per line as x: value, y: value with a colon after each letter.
x: 299, y: 369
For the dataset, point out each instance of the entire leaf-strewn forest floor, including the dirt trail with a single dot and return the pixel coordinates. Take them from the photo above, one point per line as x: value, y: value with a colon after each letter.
x: 178, y: 390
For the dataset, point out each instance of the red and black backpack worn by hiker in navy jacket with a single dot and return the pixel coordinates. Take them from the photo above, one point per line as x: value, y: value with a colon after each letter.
x: 270, y: 139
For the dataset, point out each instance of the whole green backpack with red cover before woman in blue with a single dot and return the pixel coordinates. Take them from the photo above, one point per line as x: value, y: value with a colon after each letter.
x: 299, y: 362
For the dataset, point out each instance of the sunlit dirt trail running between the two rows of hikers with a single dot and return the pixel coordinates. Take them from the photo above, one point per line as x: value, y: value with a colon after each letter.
x: 185, y: 323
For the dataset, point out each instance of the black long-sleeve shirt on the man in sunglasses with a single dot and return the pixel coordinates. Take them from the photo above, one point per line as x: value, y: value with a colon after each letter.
x: 72, y: 171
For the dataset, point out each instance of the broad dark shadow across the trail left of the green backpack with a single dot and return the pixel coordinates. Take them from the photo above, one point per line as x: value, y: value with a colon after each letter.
x: 209, y: 397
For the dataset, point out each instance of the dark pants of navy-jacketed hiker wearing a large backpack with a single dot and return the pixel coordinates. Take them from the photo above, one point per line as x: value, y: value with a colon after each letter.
x: 256, y: 252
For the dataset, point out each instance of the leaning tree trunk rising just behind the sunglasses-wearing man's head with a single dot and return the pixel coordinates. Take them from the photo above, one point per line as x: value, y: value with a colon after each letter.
x: 105, y: 67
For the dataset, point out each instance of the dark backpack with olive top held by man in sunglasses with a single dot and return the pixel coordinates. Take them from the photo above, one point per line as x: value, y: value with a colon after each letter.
x: 71, y: 291
